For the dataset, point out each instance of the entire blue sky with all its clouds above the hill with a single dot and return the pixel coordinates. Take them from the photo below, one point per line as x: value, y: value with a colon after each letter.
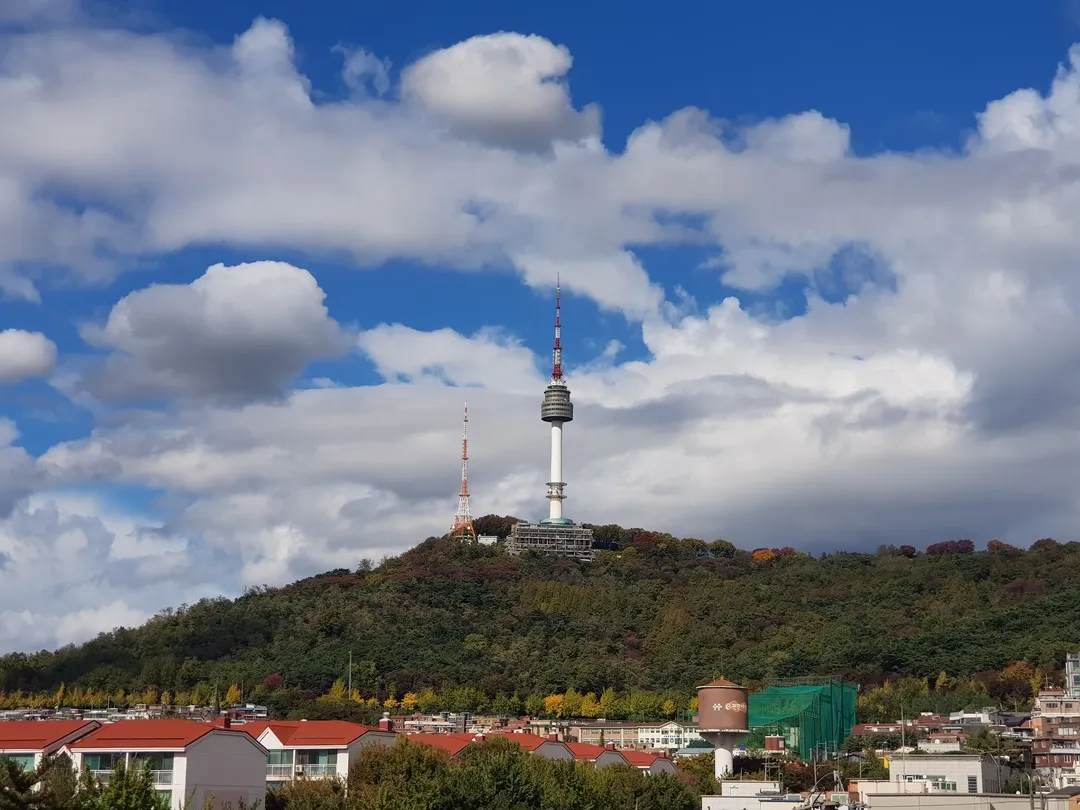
x: 818, y: 269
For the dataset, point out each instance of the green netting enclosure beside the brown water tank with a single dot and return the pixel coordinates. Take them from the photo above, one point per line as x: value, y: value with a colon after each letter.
x: 814, y: 720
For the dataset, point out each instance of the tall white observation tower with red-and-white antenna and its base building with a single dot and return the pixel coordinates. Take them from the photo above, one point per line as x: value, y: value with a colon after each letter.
x: 557, y: 534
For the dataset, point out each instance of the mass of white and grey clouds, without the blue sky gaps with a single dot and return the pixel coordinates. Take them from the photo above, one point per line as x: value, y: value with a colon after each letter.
x: 928, y: 390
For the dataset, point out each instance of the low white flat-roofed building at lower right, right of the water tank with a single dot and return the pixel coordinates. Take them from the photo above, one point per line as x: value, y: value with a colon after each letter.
x: 943, y: 774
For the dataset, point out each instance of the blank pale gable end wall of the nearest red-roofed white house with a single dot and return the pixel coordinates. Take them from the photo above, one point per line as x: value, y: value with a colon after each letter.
x: 228, y: 766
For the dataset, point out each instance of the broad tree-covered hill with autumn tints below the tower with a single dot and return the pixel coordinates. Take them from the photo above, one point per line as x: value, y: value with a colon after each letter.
x: 654, y: 614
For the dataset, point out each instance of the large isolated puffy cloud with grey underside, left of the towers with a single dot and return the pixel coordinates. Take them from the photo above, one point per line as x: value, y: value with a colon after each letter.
x: 234, y: 335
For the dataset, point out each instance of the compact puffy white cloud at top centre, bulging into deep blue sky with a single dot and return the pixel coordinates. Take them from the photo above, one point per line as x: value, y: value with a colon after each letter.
x: 503, y: 89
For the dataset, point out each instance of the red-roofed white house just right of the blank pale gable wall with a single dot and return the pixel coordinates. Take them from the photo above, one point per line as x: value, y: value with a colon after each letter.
x: 314, y: 749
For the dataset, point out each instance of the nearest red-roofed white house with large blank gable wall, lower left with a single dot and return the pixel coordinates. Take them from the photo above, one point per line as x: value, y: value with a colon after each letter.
x: 188, y: 760
